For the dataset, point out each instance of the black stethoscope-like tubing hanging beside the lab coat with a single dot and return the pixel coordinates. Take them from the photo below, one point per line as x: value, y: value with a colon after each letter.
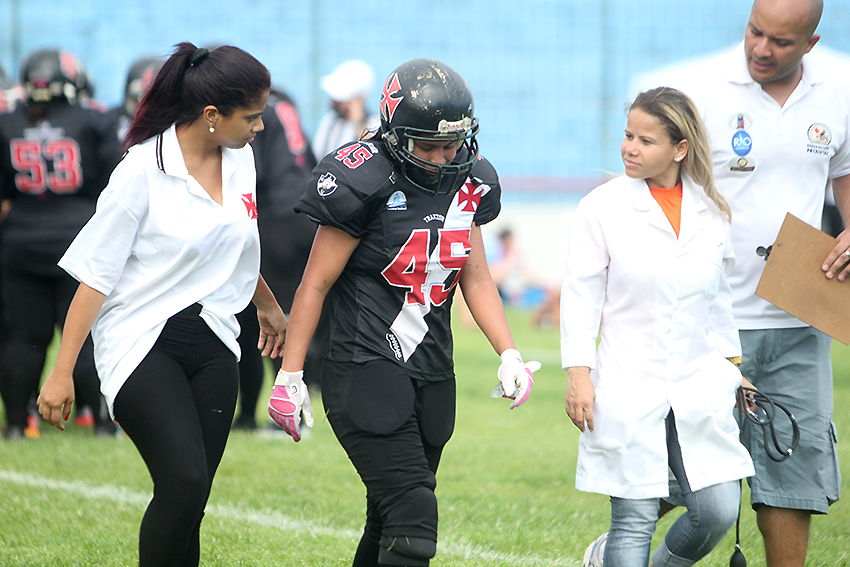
x: 764, y: 415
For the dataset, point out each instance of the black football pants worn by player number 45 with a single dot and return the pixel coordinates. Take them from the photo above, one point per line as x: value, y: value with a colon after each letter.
x: 393, y: 429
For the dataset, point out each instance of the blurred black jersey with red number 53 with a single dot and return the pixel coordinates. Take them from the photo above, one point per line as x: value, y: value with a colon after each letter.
x: 52, y: 170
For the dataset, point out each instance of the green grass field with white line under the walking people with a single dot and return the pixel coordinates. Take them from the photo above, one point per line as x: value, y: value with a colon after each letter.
x: 505, y: 486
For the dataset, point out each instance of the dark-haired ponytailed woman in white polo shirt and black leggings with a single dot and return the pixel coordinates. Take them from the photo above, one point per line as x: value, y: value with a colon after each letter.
x: 168, y: 259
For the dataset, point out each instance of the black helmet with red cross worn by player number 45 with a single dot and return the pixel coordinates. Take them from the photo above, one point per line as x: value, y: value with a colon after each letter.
x: 425, y: 99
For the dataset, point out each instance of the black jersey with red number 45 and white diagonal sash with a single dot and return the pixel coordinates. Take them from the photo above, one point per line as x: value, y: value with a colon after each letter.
x: 393, y: 299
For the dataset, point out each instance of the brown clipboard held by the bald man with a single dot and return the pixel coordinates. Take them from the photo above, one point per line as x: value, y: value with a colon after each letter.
x: 794, y: 281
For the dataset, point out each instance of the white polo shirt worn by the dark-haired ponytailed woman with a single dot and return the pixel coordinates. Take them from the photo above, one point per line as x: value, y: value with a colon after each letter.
x: 157, y: 244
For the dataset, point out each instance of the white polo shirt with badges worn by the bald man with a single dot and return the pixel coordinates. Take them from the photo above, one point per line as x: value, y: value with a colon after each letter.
x: 770, y: 160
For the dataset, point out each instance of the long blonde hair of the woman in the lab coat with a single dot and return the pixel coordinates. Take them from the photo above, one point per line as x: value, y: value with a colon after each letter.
x: 681, y: 120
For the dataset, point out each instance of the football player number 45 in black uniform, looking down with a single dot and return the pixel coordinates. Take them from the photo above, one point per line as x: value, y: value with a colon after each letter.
x: 400, y: 216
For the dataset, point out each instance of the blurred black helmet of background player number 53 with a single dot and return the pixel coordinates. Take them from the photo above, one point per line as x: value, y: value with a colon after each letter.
x: 51, y: 73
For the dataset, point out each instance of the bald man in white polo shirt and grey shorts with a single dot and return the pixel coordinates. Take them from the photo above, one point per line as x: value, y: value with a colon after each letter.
x: 778, y: 113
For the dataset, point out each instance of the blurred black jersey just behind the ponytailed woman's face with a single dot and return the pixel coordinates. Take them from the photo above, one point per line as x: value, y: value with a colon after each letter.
x: 283, y: 157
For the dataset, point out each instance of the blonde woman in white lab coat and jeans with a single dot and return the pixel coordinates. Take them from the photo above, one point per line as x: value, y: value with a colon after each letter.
x: 648, y: 257
